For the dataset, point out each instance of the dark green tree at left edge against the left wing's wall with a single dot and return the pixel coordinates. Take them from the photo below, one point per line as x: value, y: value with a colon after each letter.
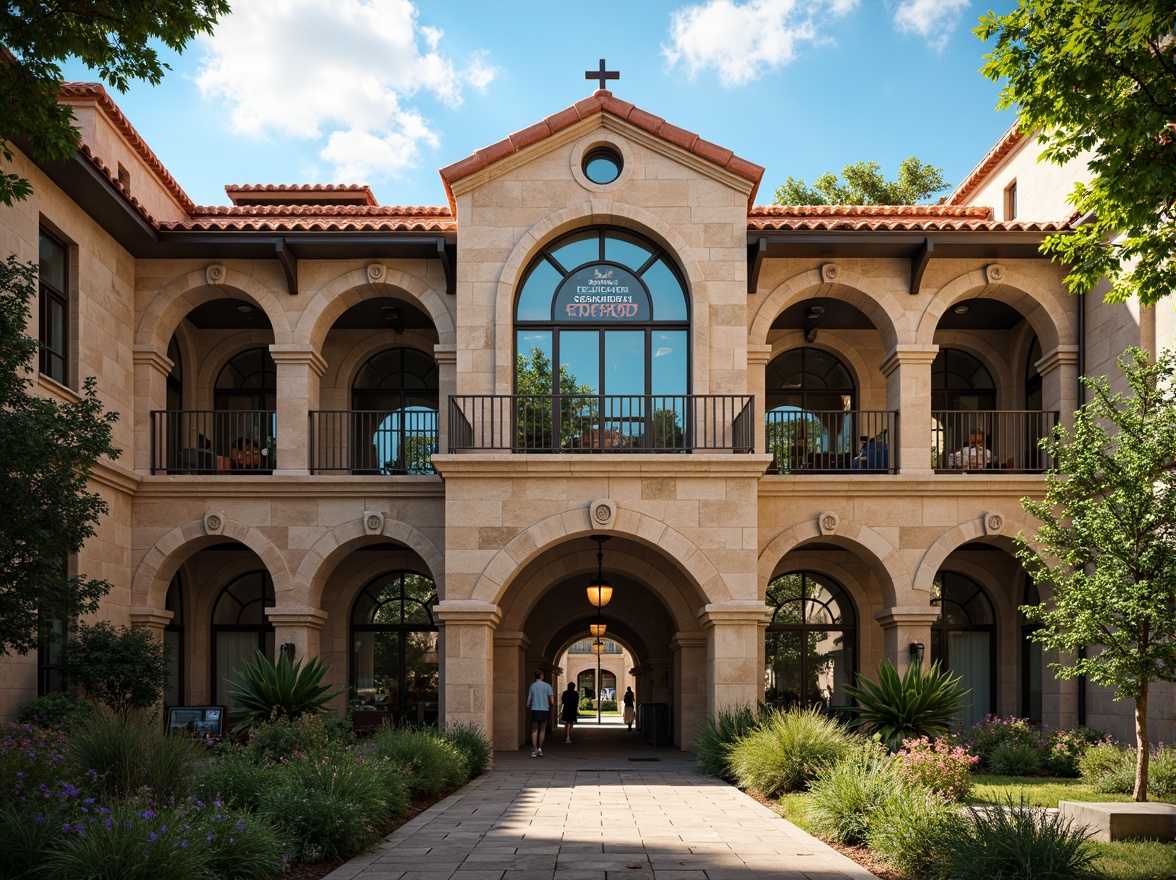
x: 50, y: 451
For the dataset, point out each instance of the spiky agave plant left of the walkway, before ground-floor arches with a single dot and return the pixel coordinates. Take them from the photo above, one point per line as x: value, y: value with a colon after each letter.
x: 283, y: 690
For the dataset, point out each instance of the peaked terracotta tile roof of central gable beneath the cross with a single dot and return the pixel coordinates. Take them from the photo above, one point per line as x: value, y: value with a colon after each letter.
x: 602, y: 102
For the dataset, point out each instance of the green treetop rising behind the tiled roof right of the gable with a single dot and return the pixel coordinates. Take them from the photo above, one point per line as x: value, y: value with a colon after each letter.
x: 865, y: 185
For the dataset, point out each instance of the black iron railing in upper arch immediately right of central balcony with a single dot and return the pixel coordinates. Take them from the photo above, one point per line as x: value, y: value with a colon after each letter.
x: 803, y: 442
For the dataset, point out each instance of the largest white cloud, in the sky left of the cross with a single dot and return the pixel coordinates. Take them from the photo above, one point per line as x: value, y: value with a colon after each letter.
x: 337, y: 70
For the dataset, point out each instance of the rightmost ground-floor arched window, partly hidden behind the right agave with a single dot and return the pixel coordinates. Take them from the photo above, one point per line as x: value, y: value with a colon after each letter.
x: 963, y: 641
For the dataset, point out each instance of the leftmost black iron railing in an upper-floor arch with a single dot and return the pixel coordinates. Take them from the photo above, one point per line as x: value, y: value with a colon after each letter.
x: 206, y: 442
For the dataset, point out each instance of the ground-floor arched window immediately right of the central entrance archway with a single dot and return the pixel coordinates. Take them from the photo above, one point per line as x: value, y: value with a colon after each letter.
x: 810, y: 651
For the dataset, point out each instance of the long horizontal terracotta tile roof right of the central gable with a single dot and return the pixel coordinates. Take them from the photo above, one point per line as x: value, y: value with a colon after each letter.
x: 921, y: 218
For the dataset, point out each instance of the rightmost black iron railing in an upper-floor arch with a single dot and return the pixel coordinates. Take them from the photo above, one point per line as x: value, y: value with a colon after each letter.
x: 991, y: 439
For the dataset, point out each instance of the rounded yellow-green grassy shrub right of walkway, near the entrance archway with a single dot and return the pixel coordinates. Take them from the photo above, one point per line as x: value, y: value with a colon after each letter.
x: 787, y: 750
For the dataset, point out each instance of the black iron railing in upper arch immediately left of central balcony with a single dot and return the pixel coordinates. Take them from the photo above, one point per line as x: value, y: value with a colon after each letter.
x: 373, y: 442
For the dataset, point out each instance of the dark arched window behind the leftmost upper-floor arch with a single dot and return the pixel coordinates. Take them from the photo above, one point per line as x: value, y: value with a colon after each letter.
x: 245, y: 398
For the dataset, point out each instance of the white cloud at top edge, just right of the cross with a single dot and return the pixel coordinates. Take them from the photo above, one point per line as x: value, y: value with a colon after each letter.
x: 741, y: 41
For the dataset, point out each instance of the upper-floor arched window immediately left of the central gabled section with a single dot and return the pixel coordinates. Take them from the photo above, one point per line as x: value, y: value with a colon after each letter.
x: 395, y: 403
